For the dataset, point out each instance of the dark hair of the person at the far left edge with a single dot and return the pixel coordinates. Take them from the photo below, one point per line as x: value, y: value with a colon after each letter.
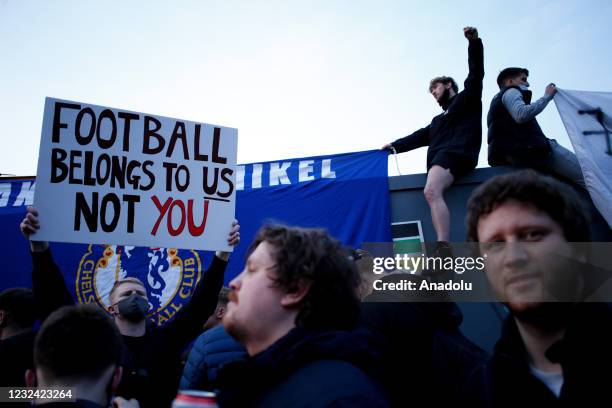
x: 19, y: 307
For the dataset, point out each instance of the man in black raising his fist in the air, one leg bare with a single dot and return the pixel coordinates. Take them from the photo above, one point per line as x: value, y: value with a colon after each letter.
x: 454, y: 137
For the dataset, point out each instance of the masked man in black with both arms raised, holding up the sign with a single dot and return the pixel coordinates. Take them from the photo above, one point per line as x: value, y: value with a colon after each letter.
x: 151, y: 359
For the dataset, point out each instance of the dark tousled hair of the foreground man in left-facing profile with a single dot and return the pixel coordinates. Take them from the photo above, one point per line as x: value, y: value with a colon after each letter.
x: 311, y: 256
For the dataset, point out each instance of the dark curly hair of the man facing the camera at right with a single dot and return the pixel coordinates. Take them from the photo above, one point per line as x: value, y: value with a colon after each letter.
x: 548, y: 195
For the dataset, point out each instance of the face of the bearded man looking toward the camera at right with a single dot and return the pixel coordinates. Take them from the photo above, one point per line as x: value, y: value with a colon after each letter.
x: 522, y: 246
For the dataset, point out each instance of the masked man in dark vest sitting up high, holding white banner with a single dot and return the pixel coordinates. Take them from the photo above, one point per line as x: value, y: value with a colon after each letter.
x: 514, y: 135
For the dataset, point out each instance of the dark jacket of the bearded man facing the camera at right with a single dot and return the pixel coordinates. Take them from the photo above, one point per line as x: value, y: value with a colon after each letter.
x: 584, y: 354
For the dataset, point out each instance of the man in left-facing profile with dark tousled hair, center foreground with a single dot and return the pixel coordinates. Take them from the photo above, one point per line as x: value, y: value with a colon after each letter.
x: 292, y: 308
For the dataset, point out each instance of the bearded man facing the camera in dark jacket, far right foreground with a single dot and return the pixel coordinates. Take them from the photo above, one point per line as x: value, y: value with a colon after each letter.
x: 555, y: 347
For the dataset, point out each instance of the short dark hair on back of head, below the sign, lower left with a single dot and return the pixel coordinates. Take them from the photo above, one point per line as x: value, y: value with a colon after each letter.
x: 77, y: 342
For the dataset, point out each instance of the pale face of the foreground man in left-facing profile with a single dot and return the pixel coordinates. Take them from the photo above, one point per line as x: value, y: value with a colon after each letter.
x: 255, y: 302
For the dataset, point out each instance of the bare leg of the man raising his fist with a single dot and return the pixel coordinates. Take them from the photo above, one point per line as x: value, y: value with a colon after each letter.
x: 438, y: 180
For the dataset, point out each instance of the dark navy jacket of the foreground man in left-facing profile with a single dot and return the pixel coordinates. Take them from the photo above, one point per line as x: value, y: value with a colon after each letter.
x: 304, y: 369
